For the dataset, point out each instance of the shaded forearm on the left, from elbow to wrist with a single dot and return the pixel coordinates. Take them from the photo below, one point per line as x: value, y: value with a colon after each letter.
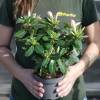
x: 7, y: 60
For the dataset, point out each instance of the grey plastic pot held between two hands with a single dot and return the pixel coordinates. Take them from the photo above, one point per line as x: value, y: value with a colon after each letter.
x: 50, y: 86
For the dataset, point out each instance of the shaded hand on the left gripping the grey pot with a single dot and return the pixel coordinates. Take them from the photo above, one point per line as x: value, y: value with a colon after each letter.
x: 33, y: 86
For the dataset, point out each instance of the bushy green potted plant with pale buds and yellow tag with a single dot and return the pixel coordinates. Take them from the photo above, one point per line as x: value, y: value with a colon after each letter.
x: 53, y: 45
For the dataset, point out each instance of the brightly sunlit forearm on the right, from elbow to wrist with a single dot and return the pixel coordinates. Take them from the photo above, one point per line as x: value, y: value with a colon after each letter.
x: 89, y: 56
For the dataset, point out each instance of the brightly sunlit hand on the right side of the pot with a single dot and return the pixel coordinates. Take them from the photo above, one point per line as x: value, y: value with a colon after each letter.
x: 65, y: 86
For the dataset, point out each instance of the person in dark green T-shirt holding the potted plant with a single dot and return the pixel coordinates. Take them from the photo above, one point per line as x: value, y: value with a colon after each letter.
x: 24, y: 86
